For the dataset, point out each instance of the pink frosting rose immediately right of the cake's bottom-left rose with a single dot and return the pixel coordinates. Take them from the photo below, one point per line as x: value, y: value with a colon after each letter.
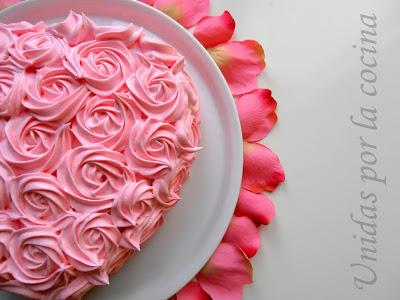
x: 88, y: 242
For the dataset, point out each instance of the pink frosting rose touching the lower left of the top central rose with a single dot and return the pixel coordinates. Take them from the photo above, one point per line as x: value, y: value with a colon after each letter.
x: 53, y: 94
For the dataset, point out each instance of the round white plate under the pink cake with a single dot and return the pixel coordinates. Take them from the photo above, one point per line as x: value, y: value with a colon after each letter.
x: 194, y: 228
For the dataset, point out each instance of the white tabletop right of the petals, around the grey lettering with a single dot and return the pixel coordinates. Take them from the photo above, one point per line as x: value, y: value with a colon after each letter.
x: 314, y: 73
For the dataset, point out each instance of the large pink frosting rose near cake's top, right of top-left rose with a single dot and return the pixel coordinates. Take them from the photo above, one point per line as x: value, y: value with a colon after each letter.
x: 104, y: 65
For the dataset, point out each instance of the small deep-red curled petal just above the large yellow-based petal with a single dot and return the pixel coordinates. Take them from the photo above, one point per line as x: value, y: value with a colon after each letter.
x: 212, y: 31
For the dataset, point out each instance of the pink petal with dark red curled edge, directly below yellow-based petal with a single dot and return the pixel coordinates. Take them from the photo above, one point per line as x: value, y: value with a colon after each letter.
x: 257, y: 114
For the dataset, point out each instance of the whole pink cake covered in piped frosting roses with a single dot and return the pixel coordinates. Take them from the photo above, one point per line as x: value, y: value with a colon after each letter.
x: 98, y: 130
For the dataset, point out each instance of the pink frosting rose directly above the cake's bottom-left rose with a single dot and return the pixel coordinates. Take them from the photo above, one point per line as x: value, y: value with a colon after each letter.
x: 39, y: 200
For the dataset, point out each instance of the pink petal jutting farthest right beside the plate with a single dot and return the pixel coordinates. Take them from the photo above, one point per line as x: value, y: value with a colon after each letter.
x: 262, y: 170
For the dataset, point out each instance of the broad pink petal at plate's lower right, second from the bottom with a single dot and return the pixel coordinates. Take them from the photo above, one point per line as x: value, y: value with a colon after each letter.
x: 225, y: 274
